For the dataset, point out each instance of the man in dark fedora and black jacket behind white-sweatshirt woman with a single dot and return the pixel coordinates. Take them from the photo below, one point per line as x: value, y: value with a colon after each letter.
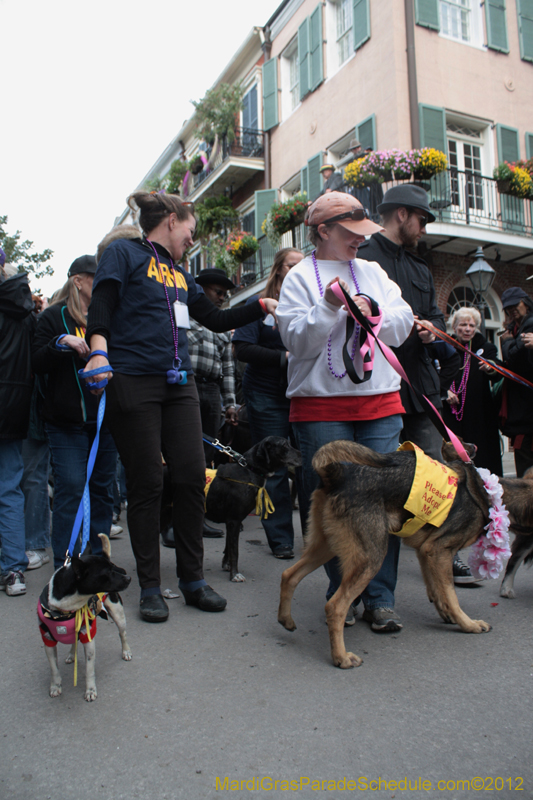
x: 405, y: 212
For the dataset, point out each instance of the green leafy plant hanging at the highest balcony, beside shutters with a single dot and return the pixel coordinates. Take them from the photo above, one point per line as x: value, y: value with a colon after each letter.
x: 218, y: 111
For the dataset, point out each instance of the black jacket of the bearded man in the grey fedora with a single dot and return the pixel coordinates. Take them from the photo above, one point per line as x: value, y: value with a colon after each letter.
x: 414, y: 279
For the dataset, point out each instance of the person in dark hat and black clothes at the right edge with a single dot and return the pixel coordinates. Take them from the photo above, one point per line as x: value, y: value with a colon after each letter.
x: 517, y: 351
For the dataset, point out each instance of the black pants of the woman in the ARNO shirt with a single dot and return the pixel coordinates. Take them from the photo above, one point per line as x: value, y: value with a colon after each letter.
x: 147, y: 417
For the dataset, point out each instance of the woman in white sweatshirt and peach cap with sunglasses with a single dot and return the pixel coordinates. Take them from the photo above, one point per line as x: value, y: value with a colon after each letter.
x: 325, y: 403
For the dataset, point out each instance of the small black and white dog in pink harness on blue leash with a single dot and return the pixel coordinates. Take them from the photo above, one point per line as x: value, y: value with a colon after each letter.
x: 90, y: 584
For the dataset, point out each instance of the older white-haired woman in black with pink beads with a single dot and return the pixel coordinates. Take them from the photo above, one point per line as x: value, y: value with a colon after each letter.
x: 471, y: 411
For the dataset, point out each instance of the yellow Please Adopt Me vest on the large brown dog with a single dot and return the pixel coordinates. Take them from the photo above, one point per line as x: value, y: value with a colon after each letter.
x: 432, y: 492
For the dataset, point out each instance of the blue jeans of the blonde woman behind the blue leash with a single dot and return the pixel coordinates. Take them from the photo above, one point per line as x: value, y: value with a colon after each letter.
x: 69, y: 449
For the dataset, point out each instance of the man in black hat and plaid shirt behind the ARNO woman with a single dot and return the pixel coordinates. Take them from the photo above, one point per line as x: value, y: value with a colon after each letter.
x: 214, y: 369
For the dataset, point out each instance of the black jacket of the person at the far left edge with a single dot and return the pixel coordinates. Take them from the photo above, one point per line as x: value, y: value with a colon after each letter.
x: 17, y: 324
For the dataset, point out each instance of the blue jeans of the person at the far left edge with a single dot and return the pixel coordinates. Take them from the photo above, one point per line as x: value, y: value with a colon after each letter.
x: 12, y: 533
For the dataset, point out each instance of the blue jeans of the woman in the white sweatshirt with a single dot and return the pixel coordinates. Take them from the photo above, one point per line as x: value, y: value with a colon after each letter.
x: 381, y: 435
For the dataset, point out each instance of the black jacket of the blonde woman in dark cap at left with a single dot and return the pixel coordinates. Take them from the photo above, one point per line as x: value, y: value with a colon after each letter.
x: 66, y: 401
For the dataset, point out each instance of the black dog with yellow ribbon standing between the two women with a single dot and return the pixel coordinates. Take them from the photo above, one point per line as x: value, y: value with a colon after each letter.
x: 232, y: 494
